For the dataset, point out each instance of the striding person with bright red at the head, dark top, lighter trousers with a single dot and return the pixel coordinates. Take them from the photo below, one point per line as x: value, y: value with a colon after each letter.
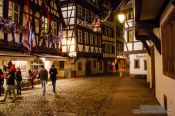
x: 10, y: 82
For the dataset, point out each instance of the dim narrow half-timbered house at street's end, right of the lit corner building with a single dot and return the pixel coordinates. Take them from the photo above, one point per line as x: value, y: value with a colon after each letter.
x: 108, y: 38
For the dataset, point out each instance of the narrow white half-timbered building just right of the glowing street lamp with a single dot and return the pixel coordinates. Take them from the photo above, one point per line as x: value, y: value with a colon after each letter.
x: 133, y: 48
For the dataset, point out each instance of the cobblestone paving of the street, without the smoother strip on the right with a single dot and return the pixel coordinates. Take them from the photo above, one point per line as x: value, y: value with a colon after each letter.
x: 86, y: 96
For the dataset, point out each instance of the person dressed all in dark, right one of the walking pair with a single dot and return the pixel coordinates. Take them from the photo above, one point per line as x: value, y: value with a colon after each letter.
x: 53, y: 74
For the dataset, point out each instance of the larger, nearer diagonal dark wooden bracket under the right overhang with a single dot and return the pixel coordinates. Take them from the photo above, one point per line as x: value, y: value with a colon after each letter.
x: 154, y: 39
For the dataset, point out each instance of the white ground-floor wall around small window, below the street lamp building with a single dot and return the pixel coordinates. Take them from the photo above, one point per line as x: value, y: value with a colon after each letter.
x: 137, y: 71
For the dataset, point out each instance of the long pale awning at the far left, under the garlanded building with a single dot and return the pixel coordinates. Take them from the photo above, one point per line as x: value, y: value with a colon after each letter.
x: 10, y: 55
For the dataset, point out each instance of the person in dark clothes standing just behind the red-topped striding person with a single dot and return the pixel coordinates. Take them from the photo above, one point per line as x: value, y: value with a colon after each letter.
x: 18, y: 80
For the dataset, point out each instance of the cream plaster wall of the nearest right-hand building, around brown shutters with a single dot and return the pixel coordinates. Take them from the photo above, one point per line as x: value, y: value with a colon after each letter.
x: 164, y: 84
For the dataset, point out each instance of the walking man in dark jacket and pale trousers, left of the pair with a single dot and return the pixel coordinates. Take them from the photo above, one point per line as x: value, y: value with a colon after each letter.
x: 43, y: 75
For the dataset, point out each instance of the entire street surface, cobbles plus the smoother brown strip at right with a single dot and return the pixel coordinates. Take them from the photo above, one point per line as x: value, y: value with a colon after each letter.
x: 86, y: 96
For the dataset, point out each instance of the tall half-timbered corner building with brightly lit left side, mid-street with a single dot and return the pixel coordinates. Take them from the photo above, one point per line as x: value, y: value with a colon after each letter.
x: 83, y: 45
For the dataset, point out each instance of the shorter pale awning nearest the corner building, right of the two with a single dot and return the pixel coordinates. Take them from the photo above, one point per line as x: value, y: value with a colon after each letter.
x: 49, y: 57
